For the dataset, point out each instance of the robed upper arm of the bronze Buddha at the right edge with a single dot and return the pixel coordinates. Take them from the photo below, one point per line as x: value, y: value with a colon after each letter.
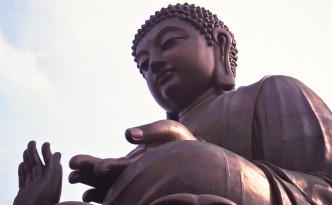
x: 291, y: 125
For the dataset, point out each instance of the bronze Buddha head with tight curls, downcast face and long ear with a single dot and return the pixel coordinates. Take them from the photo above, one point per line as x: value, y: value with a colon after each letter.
x: 193, y: 43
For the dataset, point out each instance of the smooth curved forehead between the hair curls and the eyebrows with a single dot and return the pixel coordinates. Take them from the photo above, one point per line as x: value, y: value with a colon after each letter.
x: 161, y: 27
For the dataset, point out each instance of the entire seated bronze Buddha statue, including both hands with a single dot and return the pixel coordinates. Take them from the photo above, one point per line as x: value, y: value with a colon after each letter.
x: 266, y: 143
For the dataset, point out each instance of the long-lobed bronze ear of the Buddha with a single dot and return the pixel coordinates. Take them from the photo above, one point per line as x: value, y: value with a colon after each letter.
x: 224, y: 76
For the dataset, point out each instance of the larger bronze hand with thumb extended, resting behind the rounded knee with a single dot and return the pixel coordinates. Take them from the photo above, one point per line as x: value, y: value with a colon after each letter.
x: 102, y: 173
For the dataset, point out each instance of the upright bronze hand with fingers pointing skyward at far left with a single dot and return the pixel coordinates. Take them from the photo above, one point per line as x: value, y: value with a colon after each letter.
x: 39, y: 183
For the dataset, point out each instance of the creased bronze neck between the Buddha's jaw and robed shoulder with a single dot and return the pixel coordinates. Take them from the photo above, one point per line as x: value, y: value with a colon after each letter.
x: 196, y: 106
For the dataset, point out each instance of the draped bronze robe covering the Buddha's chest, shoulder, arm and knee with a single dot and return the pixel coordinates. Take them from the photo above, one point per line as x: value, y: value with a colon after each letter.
x: 266, y: 143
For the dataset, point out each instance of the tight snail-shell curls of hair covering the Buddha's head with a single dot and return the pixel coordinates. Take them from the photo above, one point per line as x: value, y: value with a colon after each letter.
x: 199, y: 17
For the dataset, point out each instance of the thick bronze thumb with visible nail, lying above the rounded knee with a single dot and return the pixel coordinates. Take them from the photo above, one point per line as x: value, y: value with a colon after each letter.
x: 158, y: 132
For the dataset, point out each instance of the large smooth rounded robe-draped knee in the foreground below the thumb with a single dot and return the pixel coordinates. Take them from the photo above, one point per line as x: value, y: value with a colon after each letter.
x: 197, y: 168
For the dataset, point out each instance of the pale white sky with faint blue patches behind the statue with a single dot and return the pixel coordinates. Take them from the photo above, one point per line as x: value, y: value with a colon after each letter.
x: 67, y: 75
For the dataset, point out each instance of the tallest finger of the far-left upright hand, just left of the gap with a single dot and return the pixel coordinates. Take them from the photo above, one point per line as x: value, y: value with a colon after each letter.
x: 35, y: 161
